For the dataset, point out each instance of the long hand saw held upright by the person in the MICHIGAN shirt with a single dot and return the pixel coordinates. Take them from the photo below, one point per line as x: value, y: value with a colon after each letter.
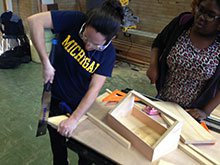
x: 46, y: 98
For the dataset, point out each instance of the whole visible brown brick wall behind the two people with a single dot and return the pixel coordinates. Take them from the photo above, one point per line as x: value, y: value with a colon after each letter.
x: 153, y: 14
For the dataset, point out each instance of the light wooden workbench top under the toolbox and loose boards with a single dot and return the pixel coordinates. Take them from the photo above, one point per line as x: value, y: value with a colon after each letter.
x: 95, y: 138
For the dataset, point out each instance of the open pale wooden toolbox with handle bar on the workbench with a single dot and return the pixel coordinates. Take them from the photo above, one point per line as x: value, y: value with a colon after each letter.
x: 145, y: 134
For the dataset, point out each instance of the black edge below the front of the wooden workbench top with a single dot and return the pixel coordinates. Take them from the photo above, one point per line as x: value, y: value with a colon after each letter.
x: 88, y: 153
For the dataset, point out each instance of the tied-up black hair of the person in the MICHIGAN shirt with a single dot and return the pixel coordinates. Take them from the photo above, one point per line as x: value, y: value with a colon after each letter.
x: 106, y: 19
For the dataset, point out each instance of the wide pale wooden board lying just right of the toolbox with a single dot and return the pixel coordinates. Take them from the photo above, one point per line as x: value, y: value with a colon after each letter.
x: 192, y: 131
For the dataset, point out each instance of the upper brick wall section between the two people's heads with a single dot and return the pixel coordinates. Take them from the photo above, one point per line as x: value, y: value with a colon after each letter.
x: 155, y: 14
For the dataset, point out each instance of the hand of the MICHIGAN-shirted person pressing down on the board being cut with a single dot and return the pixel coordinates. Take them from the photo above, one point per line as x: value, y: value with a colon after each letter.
x: 66, y: 127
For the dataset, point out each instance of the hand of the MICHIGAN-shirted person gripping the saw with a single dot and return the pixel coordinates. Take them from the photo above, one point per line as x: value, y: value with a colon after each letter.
x: 48, y: 72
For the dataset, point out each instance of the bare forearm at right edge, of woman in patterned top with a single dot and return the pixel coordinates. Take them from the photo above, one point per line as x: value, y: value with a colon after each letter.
x: 212, y: 104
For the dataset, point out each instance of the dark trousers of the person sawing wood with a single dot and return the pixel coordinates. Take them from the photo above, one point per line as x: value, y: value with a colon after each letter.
x: 58, y: 142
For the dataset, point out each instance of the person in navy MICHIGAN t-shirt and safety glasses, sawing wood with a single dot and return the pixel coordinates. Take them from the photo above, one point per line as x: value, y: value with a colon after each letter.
x: 85, y: 57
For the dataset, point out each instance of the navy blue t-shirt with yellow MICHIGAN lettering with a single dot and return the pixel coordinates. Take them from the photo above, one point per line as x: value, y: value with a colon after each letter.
x: 73, y: 64
